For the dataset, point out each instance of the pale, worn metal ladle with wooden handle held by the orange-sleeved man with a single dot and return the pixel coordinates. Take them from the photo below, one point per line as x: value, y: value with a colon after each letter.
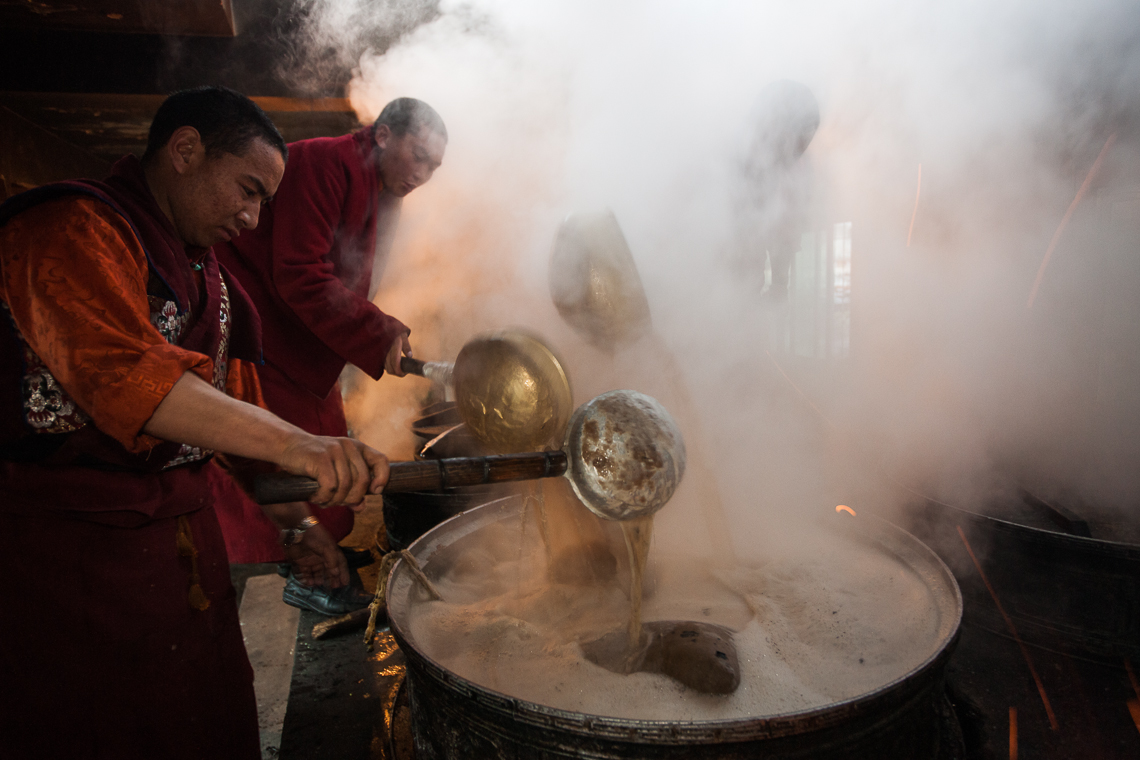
x: 623, y: 455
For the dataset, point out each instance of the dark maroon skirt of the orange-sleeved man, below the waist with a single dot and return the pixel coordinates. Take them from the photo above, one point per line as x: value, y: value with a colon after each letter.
x: 103, y: 659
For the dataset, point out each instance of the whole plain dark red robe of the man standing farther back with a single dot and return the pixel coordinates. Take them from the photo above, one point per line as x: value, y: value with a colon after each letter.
x: 308, y: 268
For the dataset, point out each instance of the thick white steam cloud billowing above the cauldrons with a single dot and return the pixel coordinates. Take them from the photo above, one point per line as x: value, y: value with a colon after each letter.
x: 952, y: 387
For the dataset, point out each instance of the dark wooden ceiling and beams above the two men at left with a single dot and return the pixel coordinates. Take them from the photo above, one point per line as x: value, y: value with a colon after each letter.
x: 80, y: 80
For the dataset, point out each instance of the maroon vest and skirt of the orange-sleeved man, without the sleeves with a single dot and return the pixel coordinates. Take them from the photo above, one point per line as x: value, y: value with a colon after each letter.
x: 108, y: 649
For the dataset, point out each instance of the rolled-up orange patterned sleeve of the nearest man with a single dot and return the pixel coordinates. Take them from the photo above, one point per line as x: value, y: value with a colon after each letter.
x: 75, y: 277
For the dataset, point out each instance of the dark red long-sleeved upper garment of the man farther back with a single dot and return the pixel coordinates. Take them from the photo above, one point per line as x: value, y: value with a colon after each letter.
x: 308, y: 264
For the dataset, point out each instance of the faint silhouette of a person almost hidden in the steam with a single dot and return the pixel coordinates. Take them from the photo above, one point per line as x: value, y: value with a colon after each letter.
x: 778, y: 185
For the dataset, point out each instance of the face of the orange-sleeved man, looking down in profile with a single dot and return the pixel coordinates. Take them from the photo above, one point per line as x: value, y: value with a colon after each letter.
x: 215, y: 198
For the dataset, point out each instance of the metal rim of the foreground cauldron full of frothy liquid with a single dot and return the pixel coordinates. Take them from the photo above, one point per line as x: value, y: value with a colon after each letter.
x: 899, y: 691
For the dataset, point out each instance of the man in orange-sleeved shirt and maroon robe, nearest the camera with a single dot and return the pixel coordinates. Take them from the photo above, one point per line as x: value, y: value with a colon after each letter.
x: 125, y: 364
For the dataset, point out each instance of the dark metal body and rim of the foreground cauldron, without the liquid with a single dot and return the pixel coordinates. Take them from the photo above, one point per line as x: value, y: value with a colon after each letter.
x: 457, y: 720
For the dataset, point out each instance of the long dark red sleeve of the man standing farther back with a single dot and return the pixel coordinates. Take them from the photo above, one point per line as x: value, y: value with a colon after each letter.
x: 308, y: 210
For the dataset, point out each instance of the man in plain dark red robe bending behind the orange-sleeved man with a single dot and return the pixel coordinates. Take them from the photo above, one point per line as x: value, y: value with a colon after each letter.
x: 310, y: 269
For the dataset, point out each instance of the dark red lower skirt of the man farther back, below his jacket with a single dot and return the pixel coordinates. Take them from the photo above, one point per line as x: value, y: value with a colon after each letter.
x: 250, y: 537
